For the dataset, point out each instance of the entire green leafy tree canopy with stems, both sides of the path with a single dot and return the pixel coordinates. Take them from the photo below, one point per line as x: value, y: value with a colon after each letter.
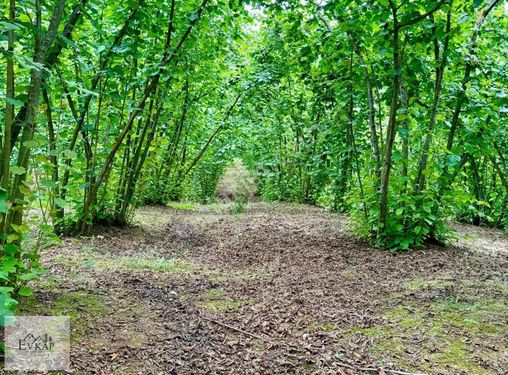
x: 394, y: 111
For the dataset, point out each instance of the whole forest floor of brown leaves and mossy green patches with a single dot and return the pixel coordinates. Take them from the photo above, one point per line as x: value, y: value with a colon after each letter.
x: 279, y: 288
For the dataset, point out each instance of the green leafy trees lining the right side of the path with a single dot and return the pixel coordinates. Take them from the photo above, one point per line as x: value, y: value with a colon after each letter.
x: 393, y: 112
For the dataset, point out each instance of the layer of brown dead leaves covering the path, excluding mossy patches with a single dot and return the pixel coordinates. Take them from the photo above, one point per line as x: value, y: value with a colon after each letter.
x: 298, y: 268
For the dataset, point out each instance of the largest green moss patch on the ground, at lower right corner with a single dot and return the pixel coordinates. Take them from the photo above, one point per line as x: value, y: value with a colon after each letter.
x: 451, y: 333
